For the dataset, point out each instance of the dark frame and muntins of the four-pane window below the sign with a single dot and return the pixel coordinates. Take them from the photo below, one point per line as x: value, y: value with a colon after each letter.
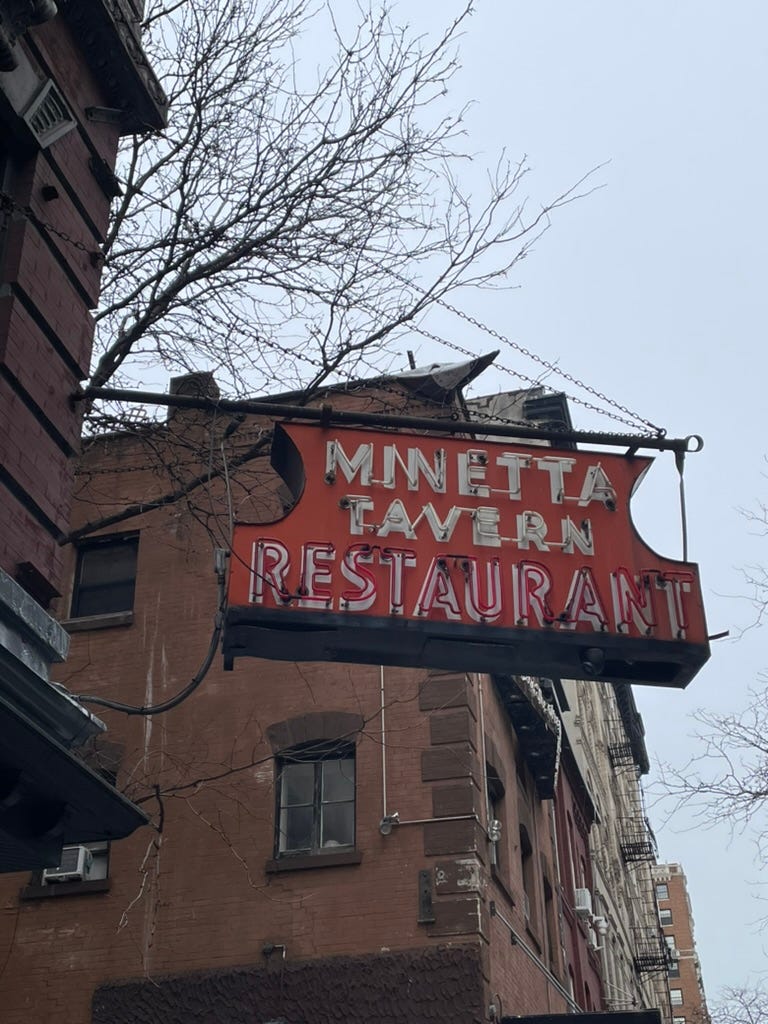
x: 316, y: 754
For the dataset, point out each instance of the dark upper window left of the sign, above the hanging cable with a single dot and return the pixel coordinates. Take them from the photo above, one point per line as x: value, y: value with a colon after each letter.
x: 106, y: 577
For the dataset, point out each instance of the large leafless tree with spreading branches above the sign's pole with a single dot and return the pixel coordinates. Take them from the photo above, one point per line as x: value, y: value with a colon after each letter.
x: 297, y: 212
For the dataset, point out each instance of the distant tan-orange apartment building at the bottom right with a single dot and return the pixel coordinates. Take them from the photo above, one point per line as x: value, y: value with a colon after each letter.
x: 687, y: 992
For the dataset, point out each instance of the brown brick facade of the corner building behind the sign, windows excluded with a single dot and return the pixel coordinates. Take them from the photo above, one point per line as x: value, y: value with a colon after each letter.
x: 193, y: 908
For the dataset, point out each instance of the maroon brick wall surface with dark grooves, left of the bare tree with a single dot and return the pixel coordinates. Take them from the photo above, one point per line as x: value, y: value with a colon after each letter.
x: 49, y: 286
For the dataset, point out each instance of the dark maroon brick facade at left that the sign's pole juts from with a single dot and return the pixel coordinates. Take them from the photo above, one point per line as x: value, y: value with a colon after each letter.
x: 54, y: 219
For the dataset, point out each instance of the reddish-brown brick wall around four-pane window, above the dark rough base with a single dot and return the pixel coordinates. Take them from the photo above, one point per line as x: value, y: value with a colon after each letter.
x: 199, y: 898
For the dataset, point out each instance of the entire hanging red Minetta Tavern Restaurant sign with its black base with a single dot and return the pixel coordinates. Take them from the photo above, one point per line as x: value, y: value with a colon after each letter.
x: 446, y: 552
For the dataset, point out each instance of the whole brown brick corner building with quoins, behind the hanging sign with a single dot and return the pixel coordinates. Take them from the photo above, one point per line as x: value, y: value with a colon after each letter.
x: 337, y: 841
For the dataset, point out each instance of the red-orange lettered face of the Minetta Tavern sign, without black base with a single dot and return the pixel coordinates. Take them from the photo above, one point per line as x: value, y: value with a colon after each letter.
x: 489, y: 535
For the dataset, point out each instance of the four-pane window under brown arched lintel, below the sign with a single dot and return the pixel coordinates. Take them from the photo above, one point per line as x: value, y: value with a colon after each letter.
x: 316, y: 800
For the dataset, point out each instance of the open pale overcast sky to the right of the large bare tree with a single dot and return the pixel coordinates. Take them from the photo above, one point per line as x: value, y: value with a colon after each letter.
x: 652, y: 290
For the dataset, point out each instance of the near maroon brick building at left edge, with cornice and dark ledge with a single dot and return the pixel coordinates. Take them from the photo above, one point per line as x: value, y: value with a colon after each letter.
x: 73, y: 79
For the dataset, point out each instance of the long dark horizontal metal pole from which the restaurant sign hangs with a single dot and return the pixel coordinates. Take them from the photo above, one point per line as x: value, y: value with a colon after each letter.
x: 327, y: 415
